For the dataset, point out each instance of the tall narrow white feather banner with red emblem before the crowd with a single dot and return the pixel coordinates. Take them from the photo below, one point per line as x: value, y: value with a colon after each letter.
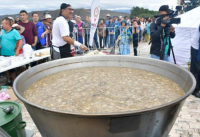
x: 95, y: 12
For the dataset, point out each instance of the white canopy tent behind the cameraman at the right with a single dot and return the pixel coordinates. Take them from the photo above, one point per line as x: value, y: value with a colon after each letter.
x: 184, y: 34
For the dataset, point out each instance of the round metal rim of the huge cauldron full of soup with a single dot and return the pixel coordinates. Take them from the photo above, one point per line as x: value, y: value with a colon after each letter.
x: 115, y: 114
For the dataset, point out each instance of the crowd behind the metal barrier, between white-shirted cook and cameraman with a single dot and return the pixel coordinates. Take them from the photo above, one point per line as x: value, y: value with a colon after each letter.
x: 113, y: 29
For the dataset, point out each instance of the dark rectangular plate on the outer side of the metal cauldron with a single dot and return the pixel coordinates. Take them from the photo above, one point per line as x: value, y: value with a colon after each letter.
x: 124, y: 124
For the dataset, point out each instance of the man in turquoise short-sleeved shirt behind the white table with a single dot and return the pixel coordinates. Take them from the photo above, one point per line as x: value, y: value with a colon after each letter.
x: 9, y: 38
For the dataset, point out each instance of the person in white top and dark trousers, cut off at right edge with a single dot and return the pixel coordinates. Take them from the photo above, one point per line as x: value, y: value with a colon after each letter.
x: 195, y: 61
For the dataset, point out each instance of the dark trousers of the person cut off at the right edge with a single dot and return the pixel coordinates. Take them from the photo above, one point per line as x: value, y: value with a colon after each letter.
x: 195, y: 68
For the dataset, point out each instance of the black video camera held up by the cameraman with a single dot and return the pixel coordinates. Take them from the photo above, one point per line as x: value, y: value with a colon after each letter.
x: 171, y: 15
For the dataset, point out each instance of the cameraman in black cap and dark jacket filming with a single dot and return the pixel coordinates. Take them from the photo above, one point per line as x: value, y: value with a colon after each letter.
x: 161, y: 32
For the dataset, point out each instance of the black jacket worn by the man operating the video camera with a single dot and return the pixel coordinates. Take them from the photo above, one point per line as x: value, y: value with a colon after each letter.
x: 156, y: 37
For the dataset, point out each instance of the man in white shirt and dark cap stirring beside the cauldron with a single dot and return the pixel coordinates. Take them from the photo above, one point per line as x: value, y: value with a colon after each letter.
x: 62, y: 41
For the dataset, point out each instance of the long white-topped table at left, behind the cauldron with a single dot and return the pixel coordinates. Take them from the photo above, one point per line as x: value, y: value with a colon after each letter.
x: 25, y: 61
